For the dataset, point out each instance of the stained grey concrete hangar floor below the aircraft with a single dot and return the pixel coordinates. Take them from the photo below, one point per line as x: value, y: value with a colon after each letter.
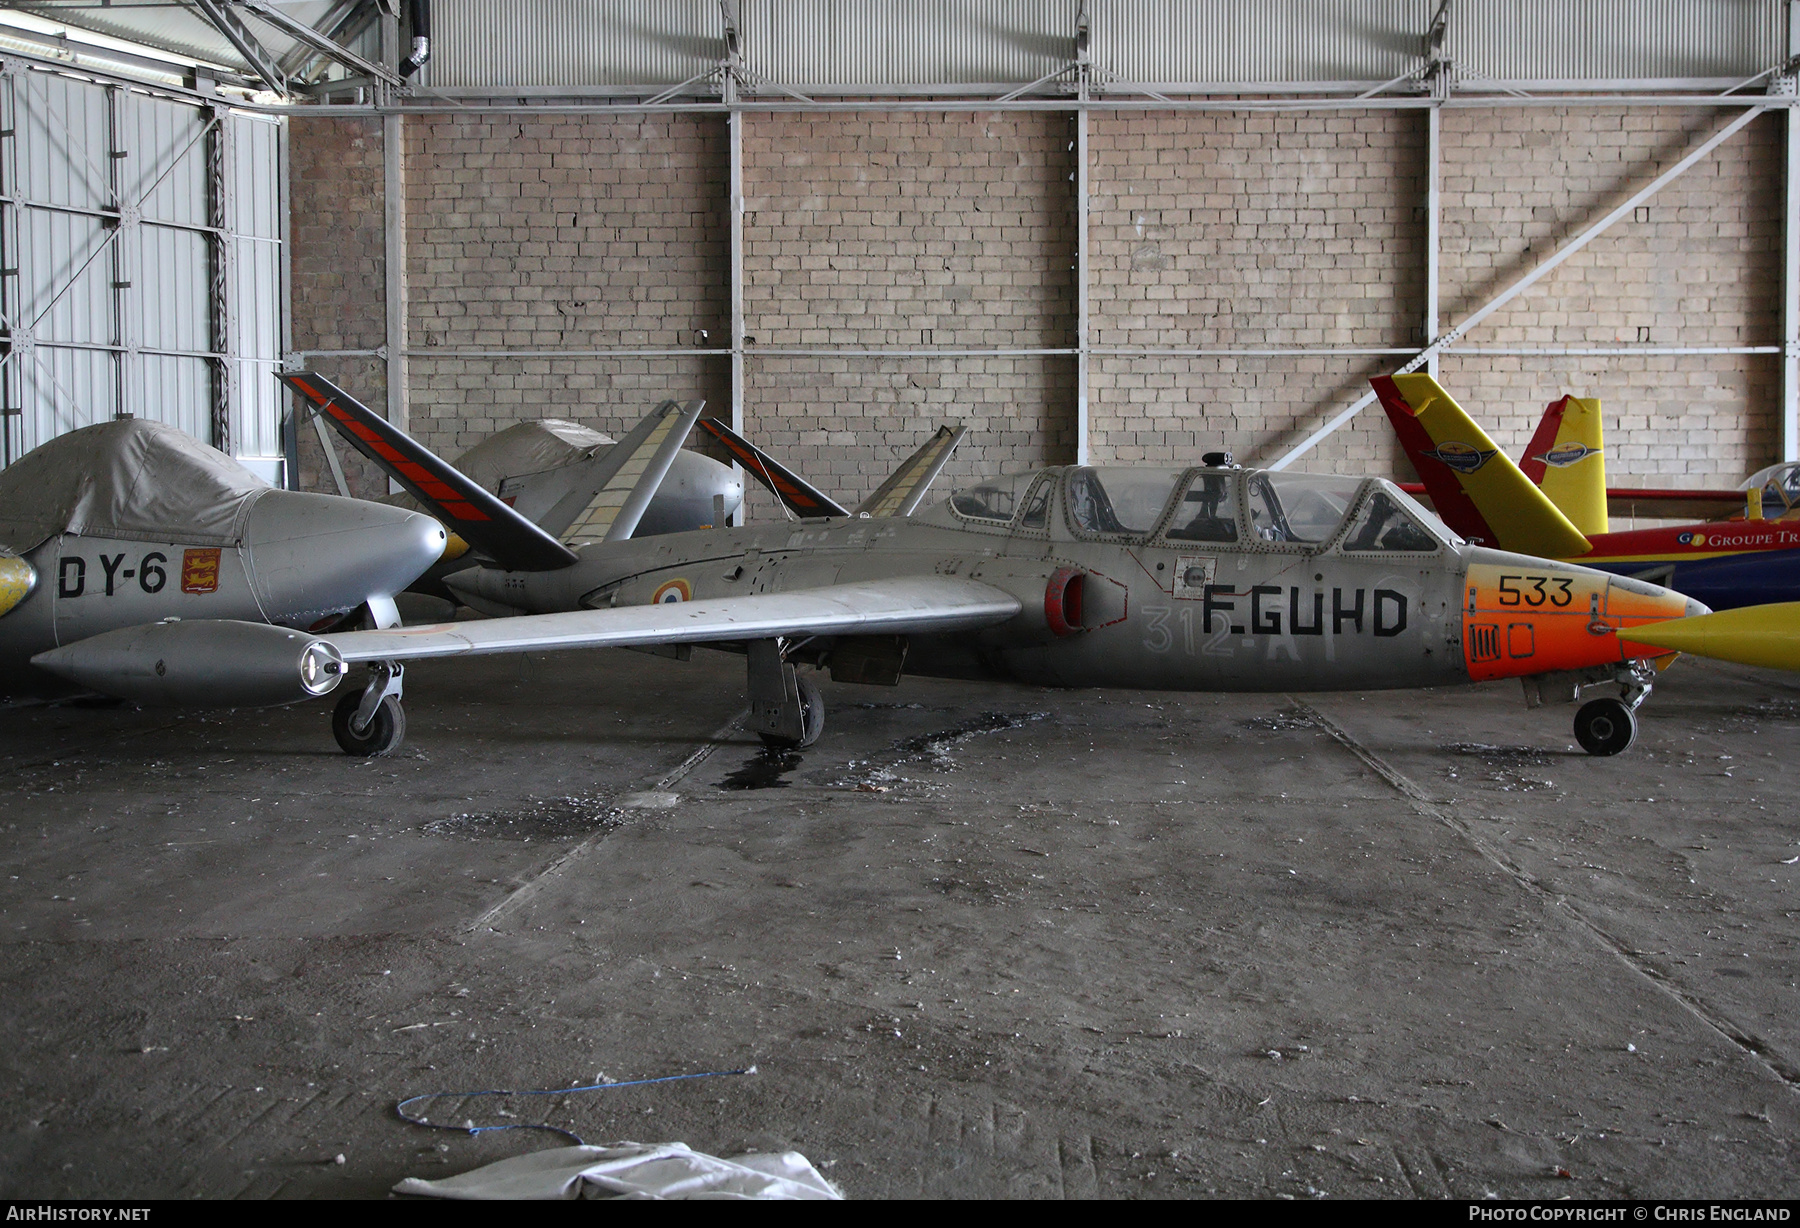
x: 978, y: 943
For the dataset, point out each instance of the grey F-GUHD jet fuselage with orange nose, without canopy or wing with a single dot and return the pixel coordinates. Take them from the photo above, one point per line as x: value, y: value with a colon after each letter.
x: 1153, y: 613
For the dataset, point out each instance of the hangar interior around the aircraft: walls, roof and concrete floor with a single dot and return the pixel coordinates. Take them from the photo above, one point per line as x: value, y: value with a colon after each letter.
x: 994, y: 941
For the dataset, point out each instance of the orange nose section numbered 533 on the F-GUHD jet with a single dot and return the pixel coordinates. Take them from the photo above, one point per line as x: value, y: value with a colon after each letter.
x: 1529, y: 617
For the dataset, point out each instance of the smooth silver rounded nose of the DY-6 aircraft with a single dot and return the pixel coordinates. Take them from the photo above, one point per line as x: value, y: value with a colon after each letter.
x: 319, y: 555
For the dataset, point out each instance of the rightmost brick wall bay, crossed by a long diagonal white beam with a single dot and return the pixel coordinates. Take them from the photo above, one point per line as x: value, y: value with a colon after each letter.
x: 1698, y: 266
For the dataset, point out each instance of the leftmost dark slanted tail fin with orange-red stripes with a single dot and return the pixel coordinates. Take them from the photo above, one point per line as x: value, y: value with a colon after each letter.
x: 444, y: 491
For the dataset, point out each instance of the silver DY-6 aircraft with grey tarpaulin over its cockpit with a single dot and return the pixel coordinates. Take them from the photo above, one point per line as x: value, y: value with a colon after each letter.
x: 129, y: 523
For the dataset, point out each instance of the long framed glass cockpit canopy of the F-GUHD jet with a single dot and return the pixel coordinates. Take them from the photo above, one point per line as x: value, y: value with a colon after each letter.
x: 1212, y: 507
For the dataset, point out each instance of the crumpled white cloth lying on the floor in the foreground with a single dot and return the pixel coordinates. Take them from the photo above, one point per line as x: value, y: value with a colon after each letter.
x: 633, y: 1171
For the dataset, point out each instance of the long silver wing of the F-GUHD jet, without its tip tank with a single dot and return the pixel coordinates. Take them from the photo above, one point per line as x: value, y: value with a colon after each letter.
x: 877, y: 608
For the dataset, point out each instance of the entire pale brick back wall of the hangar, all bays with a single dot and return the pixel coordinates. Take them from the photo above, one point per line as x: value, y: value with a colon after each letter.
x: 1209, y: 231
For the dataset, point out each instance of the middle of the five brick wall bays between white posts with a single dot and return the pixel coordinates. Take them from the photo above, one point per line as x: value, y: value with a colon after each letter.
x: 910, y: 231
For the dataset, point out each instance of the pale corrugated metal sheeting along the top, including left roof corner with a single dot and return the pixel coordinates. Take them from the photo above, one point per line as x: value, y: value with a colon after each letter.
x: 861, y: 46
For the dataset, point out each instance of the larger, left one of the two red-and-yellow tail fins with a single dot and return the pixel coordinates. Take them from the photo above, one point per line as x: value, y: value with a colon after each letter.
x: 1475, y: 487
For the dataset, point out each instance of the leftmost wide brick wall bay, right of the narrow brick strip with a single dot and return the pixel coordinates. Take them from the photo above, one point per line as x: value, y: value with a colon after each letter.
x: 562, y: 235
